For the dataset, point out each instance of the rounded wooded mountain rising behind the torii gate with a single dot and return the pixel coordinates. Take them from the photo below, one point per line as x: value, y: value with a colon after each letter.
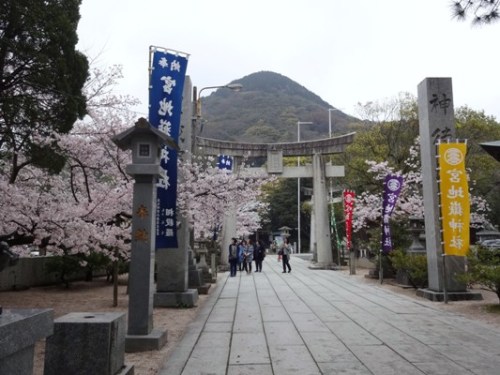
x: 267, y: 110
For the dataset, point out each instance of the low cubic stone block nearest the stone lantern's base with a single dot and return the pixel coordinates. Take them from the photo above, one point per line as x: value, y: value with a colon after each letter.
x: 87, y: 343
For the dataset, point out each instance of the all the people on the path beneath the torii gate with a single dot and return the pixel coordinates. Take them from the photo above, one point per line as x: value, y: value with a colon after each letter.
x: 243, y: 253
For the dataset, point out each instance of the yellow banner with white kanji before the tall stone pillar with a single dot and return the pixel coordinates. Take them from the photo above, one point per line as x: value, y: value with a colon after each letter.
x: 455, y: 204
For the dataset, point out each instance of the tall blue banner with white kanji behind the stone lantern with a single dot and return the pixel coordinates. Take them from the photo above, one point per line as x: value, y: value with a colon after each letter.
x: 168, y: 71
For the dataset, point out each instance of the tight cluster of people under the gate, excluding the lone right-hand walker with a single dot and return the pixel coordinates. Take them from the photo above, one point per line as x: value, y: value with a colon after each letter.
x: 244, y: 253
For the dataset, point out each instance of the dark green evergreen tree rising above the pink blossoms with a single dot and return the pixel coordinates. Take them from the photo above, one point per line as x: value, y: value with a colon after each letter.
x: 42, y: 76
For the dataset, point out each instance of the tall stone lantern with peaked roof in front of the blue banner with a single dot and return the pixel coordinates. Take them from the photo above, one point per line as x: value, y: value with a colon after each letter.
x: 146, y: 143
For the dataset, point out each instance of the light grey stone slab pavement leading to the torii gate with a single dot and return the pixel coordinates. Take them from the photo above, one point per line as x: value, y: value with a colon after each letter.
x: 312, y: 322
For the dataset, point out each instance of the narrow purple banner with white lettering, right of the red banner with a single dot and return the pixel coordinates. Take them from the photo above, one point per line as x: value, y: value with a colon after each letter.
x: 392, y: 188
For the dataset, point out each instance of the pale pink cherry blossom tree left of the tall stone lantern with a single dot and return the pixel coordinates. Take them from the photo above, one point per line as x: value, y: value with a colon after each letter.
x: 85, y: 207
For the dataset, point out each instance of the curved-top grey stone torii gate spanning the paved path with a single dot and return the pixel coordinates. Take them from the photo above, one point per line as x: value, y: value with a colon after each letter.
x: 275, y: 152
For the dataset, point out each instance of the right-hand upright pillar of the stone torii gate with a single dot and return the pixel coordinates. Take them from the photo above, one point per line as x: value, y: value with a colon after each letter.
x: 322, y: 229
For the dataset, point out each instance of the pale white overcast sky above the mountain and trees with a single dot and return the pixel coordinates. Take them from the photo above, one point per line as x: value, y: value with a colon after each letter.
x: 345, y: 51
